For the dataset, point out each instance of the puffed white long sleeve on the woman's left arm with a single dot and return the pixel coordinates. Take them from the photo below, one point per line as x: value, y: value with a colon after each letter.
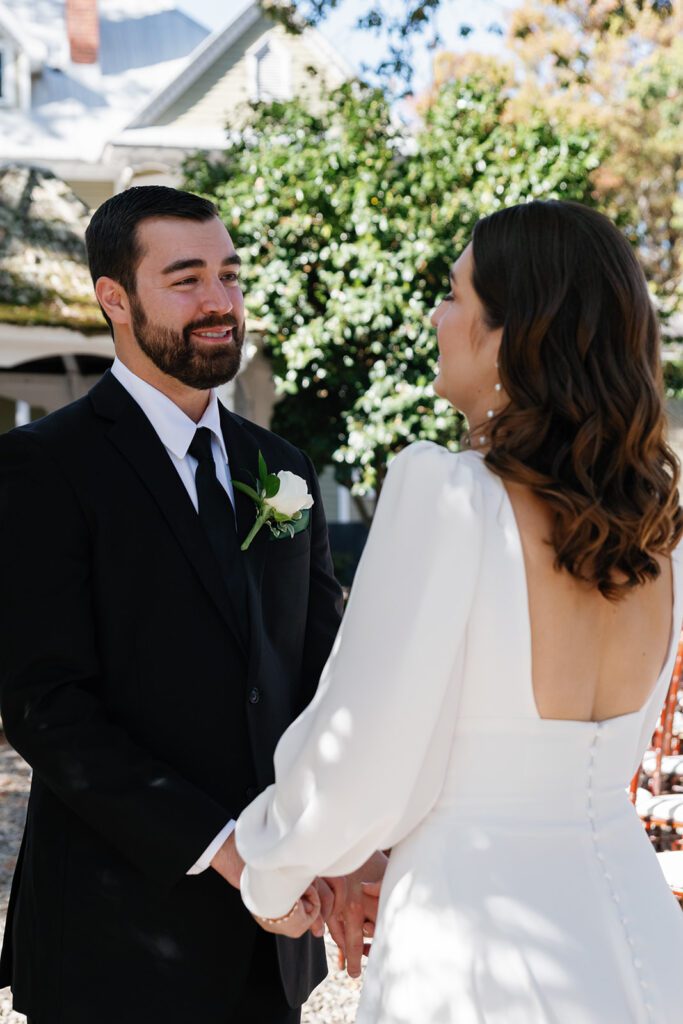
x: 366, y: 761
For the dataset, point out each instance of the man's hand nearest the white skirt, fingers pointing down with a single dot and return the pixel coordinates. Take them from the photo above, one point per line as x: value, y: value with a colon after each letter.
x: 351, y: 922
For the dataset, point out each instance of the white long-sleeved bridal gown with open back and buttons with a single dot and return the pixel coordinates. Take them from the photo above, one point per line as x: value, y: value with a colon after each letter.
x: 522, y: 887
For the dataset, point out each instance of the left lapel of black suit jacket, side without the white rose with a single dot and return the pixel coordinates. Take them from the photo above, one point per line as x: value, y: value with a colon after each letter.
x: 135, y: 437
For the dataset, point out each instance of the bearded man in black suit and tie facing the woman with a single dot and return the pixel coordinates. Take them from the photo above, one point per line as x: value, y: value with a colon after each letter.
x: 148, y: 666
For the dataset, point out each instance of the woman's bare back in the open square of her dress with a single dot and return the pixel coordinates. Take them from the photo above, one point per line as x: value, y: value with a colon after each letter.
x: 593, y: 659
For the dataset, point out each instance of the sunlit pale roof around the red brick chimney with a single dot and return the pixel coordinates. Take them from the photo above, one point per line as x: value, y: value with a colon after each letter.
x: 76, y: 109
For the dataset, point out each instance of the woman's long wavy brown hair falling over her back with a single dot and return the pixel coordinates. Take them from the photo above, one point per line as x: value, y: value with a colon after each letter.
x: 580, y: 363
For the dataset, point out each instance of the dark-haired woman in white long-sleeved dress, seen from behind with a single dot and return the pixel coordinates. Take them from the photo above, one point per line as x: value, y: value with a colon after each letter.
x: 504, y: 656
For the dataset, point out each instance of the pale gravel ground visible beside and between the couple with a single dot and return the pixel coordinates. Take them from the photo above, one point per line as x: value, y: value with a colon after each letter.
x: 335, y: 1002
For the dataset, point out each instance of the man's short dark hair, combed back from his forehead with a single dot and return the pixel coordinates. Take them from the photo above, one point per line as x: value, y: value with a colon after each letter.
x: 111, y: 239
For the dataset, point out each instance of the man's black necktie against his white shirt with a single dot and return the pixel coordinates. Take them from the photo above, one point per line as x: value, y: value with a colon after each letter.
x: 218, y: 521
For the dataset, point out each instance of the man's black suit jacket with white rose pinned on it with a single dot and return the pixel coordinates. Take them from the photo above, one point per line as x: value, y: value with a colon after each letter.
x: 149, y: 717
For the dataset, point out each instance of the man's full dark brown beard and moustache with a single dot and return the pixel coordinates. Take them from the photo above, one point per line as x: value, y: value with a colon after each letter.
x: 176, y: 354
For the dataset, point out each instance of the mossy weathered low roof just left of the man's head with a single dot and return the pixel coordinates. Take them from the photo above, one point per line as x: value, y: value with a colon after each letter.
x: 45, y: 276
